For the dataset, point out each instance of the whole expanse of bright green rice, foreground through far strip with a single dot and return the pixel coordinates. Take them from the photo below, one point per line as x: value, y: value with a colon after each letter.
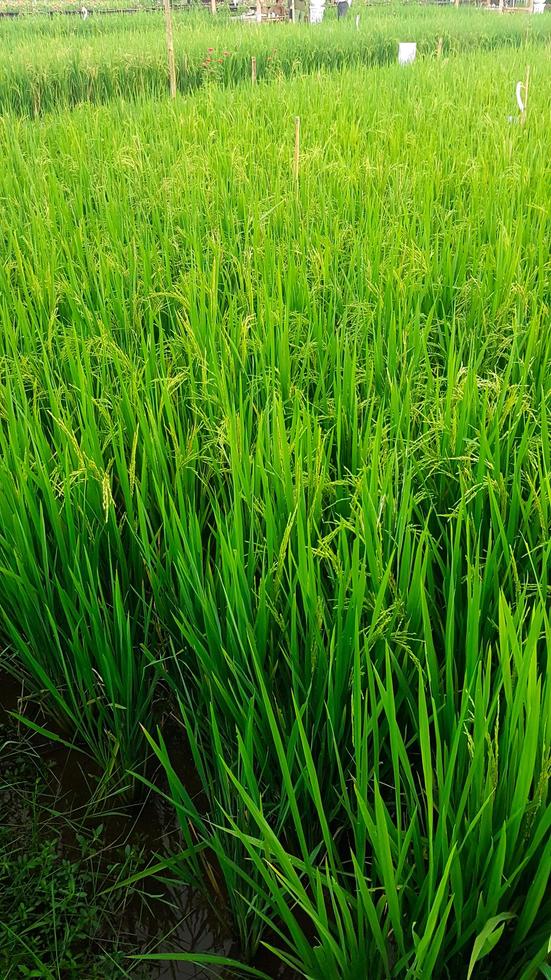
x: 275, y: 458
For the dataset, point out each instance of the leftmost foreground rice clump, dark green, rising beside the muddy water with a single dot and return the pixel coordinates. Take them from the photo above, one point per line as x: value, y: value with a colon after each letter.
x: 71, y: 614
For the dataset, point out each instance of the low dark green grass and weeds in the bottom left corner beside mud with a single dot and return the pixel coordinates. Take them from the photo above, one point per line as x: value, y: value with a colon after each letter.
x: 54, y: 918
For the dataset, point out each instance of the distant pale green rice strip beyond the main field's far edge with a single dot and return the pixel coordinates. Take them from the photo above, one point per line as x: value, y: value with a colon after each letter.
x: 51, y: 63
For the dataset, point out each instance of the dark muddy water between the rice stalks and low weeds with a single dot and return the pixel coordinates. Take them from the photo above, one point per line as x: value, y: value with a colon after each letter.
x: 171, y: 918
